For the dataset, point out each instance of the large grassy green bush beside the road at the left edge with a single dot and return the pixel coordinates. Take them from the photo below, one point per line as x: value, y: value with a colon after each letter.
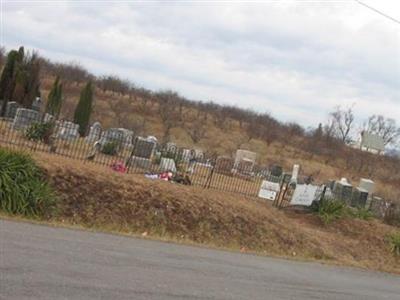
x: 22, y: 187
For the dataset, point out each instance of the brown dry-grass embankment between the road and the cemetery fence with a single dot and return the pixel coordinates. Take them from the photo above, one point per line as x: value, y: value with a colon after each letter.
x: 94, y: 196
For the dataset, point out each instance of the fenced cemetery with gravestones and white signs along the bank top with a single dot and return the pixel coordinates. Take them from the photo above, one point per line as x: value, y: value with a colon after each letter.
x: 144, y: 155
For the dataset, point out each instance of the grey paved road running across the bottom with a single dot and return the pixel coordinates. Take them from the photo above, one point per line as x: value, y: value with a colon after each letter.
x: 39, y: 262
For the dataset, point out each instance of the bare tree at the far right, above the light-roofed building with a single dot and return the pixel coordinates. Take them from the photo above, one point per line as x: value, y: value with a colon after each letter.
x: 384, y: 127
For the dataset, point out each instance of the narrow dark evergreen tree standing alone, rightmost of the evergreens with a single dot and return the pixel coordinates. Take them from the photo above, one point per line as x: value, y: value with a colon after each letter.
x: 84, y: 108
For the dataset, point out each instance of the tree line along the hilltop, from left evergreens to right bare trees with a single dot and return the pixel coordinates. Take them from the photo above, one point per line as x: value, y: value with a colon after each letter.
x: 339, y: 128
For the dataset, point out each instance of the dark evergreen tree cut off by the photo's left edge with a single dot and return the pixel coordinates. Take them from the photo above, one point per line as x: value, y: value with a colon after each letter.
x: 7, y: 79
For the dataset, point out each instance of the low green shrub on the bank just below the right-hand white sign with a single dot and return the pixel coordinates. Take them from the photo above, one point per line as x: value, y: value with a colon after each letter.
x: 329, y: 210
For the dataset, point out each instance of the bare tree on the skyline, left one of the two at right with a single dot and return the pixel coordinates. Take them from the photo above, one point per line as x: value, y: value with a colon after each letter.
x: 342, y: 122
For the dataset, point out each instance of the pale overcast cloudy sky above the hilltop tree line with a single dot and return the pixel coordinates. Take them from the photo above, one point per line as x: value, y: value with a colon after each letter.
x: 294, y: 59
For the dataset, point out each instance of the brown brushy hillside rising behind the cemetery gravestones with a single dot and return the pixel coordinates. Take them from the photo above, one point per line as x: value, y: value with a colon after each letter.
x: 220, y: 134
